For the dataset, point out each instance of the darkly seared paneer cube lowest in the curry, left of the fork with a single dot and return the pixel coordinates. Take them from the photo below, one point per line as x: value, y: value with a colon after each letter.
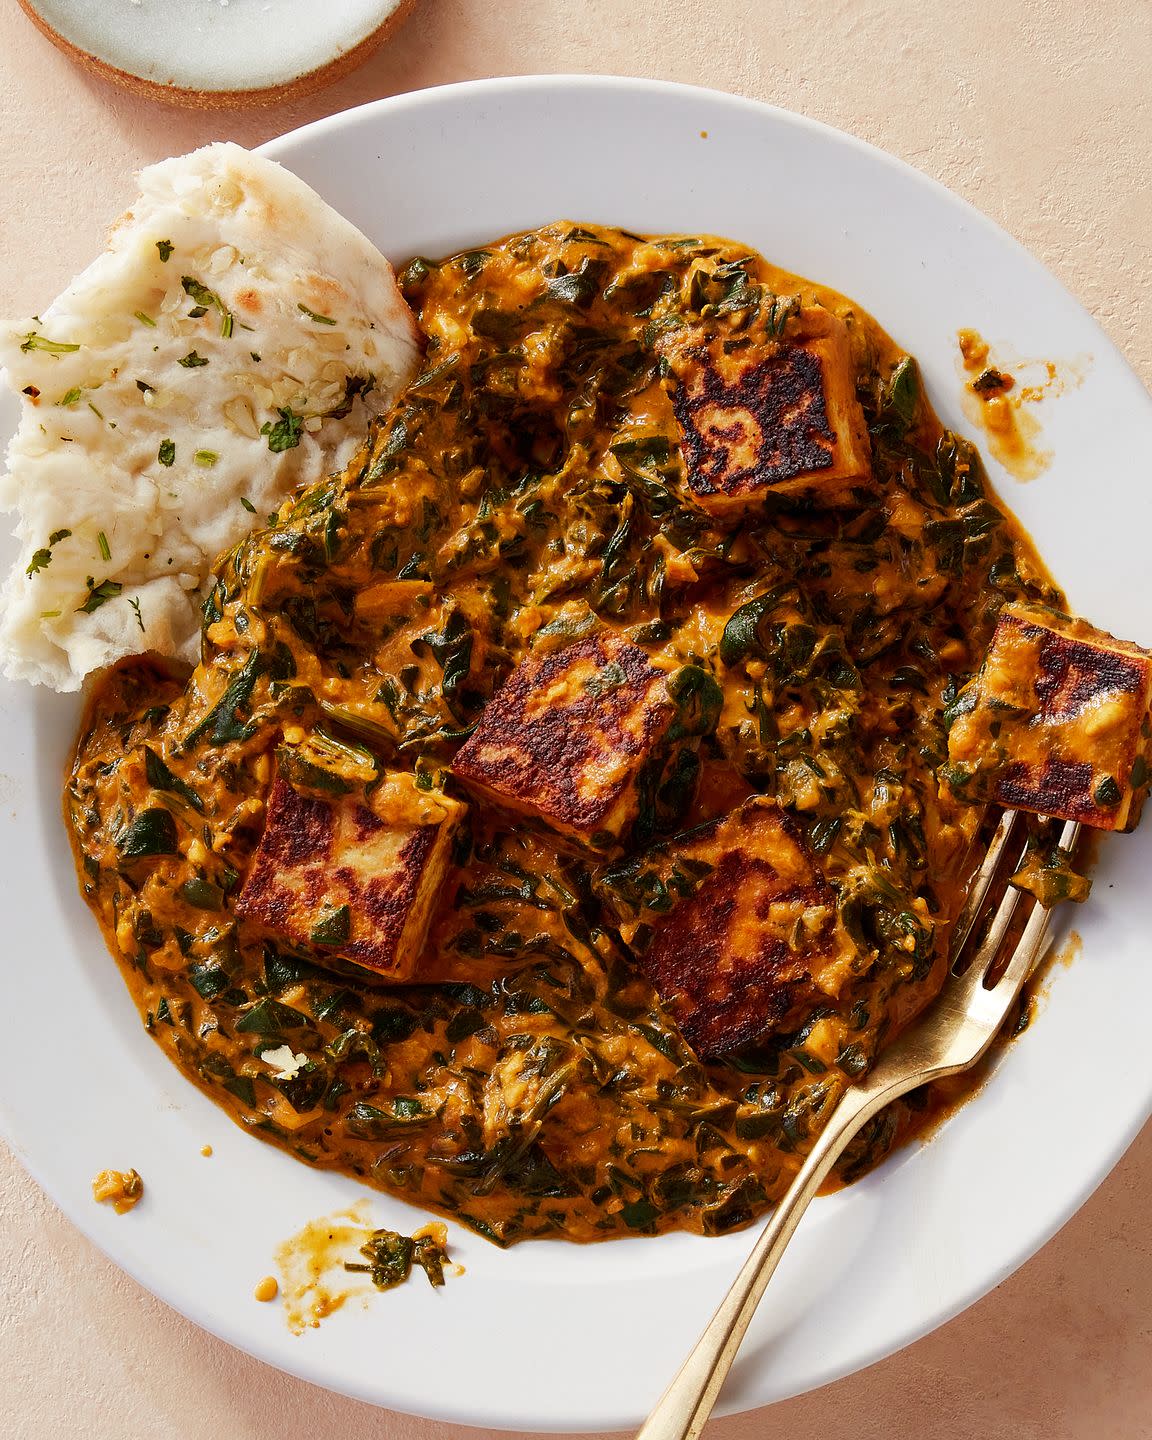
x: 758, y: 944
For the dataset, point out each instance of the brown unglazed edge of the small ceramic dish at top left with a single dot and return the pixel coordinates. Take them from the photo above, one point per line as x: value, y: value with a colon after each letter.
x: 258, y: 97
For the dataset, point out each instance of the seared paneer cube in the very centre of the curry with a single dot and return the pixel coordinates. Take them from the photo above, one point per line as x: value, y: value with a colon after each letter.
x: 567, y: 737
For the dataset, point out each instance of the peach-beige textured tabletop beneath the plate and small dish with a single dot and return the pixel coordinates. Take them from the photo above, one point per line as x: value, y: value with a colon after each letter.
x: 1042, y: 116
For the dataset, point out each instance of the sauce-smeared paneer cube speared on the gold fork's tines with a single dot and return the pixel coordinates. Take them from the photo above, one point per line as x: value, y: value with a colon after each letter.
x: 1056, y: 722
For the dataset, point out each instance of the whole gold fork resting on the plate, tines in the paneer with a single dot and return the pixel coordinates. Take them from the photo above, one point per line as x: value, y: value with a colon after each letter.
x: 953, y: 1036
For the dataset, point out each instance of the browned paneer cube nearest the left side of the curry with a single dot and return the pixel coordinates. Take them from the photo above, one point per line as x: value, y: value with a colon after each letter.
x: 351, y: 876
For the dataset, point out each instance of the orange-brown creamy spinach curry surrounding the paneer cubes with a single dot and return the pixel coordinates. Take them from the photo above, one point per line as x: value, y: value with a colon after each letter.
x: 529, y: 492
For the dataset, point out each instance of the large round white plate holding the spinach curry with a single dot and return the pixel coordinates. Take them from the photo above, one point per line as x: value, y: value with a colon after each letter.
x: 552, y: 1337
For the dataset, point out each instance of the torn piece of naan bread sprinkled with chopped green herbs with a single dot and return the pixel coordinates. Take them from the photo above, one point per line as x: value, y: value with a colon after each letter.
x: 230, y: 346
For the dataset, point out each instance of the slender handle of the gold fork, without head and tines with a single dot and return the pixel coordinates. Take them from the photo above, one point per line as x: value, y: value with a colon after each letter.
x: 686, y: 1405
